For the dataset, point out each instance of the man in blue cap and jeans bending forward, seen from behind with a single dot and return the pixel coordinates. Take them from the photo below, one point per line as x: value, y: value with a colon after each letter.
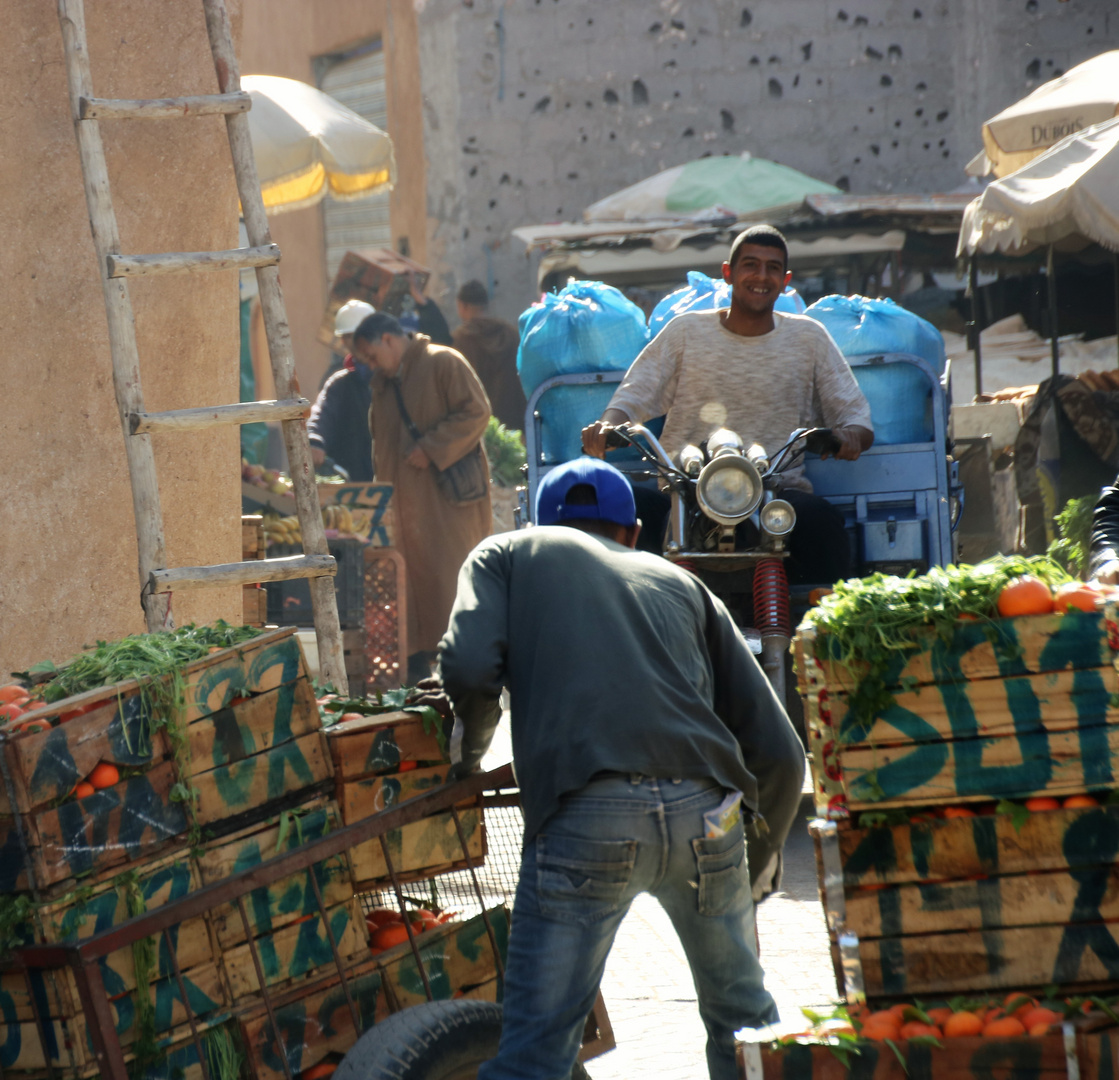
x: 638, y: 716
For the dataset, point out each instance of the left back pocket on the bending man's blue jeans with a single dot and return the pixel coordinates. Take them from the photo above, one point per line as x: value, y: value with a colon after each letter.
x: 582, y: 880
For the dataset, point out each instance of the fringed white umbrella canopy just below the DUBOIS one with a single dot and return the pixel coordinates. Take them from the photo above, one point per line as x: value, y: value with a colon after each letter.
x: 1070, y: 191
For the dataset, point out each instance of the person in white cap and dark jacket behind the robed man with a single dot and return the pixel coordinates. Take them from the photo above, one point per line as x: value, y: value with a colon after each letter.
x: 340, y: 425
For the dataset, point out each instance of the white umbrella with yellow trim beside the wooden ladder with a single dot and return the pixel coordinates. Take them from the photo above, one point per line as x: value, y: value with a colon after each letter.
x: 308, y: 145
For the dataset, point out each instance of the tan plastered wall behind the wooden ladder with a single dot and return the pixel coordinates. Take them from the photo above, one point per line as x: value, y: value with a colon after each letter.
x: 68, y: 539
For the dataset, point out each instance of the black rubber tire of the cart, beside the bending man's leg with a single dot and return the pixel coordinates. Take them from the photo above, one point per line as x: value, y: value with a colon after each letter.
x: 435, y: 1041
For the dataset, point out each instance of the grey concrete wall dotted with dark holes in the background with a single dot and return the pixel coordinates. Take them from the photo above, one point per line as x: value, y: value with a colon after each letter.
x: 558, y: 104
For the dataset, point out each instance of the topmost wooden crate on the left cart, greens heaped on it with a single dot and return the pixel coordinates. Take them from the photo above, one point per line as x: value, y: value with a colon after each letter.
x: 255, y: 744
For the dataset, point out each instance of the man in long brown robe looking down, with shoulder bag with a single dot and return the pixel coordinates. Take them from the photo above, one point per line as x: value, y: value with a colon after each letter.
x: 448, y: 407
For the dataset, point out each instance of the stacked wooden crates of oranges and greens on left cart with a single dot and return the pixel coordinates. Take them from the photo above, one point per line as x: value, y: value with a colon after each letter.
x: 148, y: 768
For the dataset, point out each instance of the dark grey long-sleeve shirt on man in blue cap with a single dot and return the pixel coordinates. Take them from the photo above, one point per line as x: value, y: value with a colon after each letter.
x: 616, y: 662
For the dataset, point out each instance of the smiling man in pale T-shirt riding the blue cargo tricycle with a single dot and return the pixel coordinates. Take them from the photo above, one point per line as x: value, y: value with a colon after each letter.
x: 760, y: 373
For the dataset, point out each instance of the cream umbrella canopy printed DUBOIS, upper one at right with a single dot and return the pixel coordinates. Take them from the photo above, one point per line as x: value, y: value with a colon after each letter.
x: 1085, y: 96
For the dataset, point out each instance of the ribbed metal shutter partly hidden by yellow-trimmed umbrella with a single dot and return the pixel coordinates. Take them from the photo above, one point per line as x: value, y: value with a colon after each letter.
x: 359, y: 82
